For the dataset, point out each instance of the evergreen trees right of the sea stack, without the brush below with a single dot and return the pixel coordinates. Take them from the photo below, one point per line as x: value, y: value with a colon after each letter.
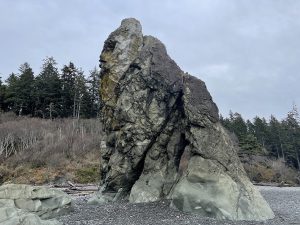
x: 273, y: 138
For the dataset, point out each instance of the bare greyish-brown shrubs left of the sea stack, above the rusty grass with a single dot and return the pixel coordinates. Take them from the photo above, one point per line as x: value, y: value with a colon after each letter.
x: 48, y: 142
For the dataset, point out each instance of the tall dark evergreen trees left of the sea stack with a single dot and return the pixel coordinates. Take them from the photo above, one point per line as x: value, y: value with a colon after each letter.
x: 53, y: 93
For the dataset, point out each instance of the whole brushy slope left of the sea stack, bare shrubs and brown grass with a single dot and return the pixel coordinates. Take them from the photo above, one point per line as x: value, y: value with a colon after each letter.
x: 40, y: 151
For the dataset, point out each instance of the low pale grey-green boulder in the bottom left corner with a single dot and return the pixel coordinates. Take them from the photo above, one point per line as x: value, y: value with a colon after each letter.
x: 25, y: 204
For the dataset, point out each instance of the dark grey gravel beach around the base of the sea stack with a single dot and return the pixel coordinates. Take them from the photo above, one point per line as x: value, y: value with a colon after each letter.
x: 284, y: 201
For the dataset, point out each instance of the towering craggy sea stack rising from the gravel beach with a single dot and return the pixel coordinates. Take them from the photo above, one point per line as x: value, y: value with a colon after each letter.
x: 164, y: 138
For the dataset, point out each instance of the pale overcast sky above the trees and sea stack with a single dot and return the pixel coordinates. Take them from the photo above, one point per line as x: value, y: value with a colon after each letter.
x: 247, y: 51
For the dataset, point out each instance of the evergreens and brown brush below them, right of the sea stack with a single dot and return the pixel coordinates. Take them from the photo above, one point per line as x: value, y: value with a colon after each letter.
x: 269, y: 149
